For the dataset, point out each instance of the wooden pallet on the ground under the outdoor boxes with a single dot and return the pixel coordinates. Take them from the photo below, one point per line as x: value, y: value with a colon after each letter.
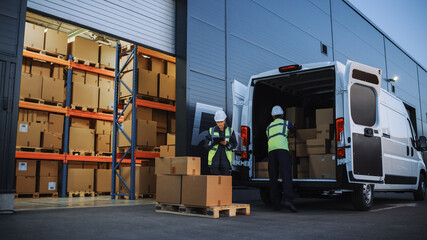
x: 210, y: 212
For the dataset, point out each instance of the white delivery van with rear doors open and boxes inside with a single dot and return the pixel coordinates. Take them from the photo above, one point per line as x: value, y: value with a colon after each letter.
x: 374, y: 146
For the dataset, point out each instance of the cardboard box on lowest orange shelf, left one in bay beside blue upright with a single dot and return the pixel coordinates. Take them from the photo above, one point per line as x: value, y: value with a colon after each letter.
x: 82, y: 139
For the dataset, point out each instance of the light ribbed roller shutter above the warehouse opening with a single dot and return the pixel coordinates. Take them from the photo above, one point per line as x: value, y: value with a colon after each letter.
x: 150, y: 23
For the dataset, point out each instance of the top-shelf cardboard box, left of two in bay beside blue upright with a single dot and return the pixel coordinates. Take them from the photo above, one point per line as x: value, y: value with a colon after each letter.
x: 84, y: 49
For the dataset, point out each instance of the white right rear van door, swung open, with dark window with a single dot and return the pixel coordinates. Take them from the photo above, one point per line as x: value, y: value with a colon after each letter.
x: 361, y: 124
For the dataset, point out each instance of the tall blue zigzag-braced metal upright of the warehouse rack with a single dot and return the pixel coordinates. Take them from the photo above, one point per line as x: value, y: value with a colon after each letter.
x: 116, y: 117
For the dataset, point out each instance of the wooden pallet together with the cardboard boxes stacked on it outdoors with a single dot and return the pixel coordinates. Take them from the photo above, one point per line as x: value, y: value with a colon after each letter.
x: 182, y: 190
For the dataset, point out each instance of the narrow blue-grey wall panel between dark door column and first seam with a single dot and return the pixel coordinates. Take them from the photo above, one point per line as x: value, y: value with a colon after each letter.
x: 206, y: 49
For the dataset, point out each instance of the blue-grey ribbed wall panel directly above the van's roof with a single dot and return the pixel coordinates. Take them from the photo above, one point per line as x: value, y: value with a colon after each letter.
x: 273, y: 33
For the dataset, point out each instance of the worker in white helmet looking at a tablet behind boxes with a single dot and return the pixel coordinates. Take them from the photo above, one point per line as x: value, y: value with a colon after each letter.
x: 220, y: 142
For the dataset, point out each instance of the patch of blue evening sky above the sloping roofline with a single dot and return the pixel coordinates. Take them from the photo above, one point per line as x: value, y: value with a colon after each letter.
x: 404, y: 21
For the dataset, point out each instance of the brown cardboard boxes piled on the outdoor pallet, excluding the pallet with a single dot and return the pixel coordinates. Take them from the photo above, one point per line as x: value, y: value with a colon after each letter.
x: 179, y: 182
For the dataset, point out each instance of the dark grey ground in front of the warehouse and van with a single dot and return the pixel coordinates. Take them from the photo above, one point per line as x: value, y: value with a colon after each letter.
x: 394, y: 216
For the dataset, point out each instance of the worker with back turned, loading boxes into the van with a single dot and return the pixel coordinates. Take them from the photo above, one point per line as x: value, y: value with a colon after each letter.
x: 280, y: 160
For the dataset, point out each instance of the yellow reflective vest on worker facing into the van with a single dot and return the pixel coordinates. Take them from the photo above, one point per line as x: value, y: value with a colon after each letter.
x: 277, y: 134
